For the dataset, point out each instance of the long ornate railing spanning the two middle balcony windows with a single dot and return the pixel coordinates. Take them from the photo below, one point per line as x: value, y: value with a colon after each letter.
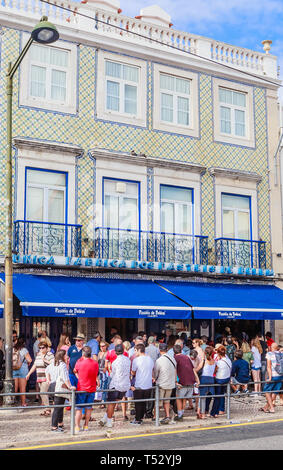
x: 150, y: 246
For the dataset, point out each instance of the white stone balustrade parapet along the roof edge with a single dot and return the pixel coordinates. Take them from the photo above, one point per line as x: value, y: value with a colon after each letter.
x: 105, y: 25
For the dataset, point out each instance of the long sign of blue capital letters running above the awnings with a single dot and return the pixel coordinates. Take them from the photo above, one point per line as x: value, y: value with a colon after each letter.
x: 137, y: 265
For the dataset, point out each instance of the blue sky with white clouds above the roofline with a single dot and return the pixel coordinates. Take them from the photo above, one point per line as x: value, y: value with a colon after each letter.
x: 242, y: 23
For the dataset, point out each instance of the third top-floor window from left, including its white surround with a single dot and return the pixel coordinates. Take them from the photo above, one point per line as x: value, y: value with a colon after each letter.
x: 175, y: 101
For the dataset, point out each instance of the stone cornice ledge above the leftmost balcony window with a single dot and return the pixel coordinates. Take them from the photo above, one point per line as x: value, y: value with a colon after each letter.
x: 47, y: 146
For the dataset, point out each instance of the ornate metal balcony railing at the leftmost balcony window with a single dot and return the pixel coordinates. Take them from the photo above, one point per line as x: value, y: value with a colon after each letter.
x: 31, y: 237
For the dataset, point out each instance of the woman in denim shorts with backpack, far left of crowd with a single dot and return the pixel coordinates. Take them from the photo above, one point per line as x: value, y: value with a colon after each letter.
x: 21, y: 362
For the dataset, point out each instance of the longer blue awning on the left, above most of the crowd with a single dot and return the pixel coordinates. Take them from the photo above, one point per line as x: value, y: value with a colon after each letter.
x: 62, y: 296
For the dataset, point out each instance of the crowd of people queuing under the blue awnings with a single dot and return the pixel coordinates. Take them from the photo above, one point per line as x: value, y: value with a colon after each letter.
x: 188, y: 373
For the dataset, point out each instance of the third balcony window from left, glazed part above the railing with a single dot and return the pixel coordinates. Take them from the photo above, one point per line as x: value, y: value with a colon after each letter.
x: 176, y: 210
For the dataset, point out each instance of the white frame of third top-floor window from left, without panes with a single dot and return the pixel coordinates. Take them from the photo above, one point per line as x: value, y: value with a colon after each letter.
x: 193, y: 128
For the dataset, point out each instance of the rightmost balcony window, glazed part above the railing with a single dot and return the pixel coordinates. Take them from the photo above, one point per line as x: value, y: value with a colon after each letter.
x: 235, y: 217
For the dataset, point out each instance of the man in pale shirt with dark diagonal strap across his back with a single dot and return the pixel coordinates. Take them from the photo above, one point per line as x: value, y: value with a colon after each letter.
x: 165, y: 377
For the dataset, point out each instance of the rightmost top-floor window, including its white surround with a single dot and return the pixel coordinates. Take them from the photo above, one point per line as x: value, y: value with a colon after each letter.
x: 233, y: 113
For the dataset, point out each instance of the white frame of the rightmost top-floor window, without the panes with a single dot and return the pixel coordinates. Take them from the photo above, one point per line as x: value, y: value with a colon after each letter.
x: 249, y: 139
